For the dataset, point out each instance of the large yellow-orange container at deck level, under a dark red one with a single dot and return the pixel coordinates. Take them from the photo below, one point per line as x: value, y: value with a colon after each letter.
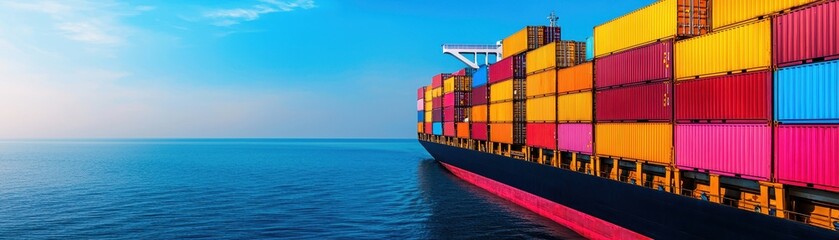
x: 640, y: 141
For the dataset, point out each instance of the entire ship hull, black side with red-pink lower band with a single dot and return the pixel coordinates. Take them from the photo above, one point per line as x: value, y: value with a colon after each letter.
x: 600, y: 208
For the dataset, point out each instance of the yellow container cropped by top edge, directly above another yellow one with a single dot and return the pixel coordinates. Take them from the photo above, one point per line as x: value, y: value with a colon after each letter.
x: 726, y: 13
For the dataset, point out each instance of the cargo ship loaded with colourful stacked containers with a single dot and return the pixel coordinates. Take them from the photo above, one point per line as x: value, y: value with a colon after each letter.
x: 684, y: 119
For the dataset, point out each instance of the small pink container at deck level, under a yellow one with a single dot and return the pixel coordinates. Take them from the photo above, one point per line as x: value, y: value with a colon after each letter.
x: 575, y: 137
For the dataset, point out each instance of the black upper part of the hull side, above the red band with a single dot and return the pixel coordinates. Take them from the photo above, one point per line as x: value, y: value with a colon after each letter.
x: 655, y: 214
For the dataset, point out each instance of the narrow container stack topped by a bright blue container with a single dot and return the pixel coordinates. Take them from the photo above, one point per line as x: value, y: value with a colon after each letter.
x: 479, y: 115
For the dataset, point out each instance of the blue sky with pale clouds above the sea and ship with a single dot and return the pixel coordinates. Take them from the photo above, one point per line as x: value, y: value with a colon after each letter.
x: 251, y: 68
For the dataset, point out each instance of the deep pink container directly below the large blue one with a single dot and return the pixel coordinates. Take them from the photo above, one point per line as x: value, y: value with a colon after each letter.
x: 807, y: 155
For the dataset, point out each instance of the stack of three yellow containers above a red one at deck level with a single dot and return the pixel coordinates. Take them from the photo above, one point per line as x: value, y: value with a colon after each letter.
x: 541, y: 91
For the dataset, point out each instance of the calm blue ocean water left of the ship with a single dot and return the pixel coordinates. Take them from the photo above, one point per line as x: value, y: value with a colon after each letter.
x: 247, y: 189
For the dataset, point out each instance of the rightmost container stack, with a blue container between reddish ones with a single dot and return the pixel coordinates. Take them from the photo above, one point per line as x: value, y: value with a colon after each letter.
x: 807, y: 96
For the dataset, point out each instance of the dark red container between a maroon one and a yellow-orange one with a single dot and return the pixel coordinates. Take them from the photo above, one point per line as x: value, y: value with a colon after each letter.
x: 640, y: 102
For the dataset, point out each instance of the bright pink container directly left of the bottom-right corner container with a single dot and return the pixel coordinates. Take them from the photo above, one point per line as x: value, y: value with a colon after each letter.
x: 739, y: 150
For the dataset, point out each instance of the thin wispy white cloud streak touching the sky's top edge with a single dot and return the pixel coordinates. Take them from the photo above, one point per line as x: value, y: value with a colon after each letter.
x: 230, y: 17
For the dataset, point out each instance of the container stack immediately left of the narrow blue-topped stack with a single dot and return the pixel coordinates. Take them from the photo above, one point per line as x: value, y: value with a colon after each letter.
x: 457, y: 91
